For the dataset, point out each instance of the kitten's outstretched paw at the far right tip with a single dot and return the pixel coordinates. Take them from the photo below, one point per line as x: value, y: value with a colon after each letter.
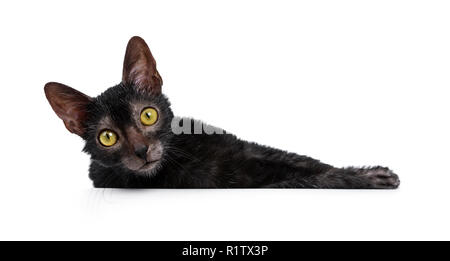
x: 381, y: 178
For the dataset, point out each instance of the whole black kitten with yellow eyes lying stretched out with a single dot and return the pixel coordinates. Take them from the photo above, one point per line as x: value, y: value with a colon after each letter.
x: 135, y: 142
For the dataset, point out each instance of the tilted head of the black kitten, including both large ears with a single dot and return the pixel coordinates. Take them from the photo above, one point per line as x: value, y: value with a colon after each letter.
x: 126, y: 126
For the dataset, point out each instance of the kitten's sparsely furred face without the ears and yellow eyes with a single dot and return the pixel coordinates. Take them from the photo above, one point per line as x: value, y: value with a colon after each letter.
x: 118, y: 109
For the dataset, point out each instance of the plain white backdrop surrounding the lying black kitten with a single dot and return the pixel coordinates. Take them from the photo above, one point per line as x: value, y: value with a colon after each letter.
x: 347, y: 82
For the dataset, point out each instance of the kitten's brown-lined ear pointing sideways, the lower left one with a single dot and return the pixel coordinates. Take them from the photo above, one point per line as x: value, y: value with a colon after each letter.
x: 69, y: 104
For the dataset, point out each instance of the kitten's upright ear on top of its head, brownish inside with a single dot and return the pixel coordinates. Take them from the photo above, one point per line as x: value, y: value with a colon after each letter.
x: 139, y: 67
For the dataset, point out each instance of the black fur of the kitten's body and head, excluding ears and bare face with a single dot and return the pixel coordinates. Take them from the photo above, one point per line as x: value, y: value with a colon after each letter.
x: 211, y: 161
